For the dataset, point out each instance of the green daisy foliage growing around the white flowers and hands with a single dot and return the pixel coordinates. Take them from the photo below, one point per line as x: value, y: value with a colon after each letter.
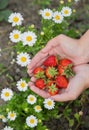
x: 18, y: 103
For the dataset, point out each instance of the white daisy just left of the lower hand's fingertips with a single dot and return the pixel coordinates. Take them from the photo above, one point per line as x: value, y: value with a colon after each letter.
x: 22, y: 85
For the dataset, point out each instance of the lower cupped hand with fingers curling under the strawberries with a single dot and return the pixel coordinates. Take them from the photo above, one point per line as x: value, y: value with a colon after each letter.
x: 76, y: 85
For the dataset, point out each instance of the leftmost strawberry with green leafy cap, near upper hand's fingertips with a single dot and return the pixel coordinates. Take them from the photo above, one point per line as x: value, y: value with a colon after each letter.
x: 38, y: 72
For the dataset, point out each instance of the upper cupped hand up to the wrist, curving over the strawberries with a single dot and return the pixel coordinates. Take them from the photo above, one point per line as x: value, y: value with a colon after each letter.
x: 61, y: 45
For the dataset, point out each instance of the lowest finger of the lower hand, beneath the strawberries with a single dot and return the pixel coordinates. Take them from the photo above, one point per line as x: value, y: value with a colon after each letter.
x: 38, y: 91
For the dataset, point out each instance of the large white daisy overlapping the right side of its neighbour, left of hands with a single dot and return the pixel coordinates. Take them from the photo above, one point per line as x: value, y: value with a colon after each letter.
x: 29, y: 38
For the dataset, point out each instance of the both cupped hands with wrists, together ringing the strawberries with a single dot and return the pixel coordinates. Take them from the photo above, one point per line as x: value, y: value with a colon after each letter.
x: 74, y: 49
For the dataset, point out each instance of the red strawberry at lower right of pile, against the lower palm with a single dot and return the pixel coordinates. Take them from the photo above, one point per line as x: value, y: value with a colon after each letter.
x: 61, y: 81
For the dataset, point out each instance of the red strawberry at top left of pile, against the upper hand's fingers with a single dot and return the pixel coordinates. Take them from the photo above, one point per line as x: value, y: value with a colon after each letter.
x: 50, y: 61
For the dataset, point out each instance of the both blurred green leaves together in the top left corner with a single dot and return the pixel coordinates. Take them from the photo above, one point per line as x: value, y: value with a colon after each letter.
x: 4, y: 12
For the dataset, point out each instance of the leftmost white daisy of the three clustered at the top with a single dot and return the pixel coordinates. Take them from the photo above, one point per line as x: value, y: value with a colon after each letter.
x: 46, y: 13
